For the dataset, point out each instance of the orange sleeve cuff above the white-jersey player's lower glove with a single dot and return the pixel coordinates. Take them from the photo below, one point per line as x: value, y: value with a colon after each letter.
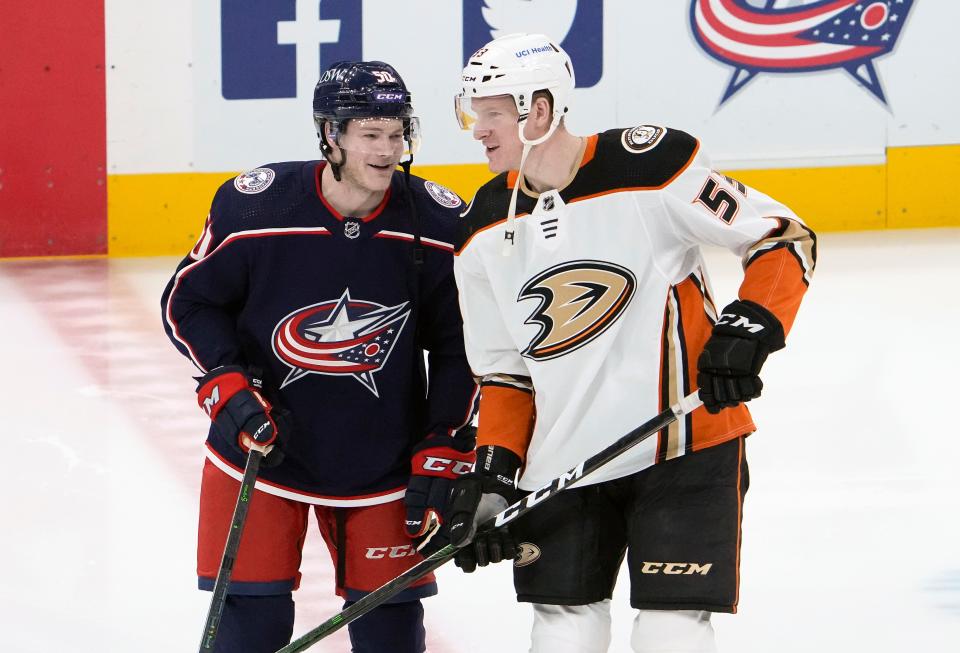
x: 506, y: 418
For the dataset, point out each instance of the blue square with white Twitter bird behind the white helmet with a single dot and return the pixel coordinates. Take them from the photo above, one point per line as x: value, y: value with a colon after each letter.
x: 576, y: 24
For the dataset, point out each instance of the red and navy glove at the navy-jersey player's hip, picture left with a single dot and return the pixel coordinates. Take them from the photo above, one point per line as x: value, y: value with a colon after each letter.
x: 234, y: 402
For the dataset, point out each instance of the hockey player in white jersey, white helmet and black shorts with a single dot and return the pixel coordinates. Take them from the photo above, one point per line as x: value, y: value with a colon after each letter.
x: 587, y: 310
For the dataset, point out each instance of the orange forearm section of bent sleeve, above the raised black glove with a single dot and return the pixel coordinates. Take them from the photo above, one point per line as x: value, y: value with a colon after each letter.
x: 775, y: 281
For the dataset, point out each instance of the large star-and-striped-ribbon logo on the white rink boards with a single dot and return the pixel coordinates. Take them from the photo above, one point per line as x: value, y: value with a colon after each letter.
x: 764, y: 36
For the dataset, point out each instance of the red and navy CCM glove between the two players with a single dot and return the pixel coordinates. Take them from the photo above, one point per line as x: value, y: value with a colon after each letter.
x: 435, y: 464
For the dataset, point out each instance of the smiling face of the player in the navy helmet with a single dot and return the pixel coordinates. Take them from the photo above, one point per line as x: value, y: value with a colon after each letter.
x: 374, y: 148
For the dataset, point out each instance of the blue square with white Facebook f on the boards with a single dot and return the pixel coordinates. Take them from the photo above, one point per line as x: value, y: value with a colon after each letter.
x: 277, y: 49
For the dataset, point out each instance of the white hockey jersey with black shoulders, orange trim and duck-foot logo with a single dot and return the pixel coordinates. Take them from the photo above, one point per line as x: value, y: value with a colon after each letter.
x: 595, y: 320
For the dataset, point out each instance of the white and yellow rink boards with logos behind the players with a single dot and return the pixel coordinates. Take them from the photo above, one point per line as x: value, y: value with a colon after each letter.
x: 843, y: 109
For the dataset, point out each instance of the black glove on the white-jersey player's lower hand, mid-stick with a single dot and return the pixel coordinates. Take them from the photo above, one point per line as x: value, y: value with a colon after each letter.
x: 476, y: 498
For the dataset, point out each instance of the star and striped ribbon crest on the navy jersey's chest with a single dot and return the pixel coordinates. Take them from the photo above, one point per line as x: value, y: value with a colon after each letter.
x: 339, y: 337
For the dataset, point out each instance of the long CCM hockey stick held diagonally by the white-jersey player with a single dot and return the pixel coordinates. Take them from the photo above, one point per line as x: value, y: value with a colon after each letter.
x: 512, y: 512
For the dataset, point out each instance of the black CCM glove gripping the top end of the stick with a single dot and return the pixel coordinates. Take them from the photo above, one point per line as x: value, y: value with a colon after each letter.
x: 729, y: 366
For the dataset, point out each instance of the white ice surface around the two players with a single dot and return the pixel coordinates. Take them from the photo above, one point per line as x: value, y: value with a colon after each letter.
x: 851, y: 533
